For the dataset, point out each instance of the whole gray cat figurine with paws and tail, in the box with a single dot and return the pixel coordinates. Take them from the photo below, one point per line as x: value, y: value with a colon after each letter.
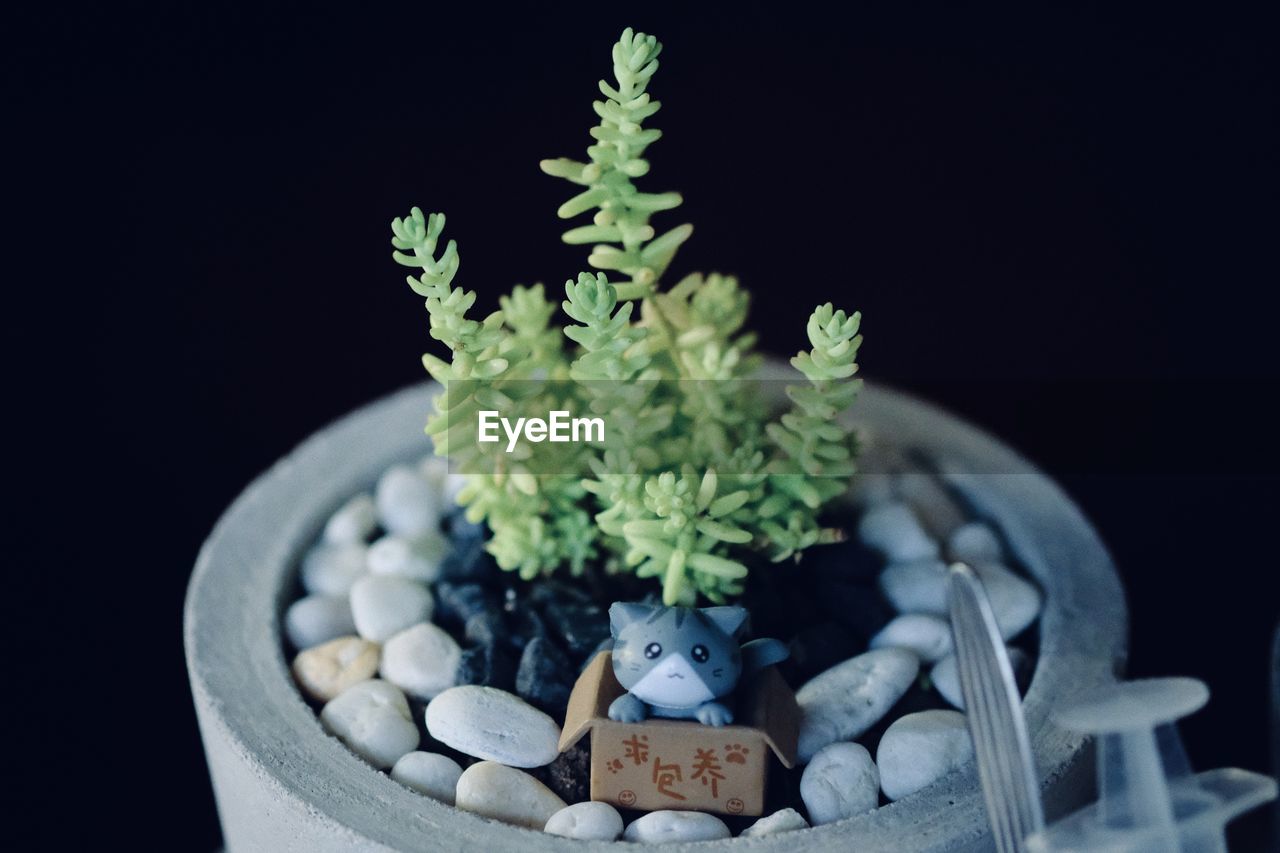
x: 679, y: 662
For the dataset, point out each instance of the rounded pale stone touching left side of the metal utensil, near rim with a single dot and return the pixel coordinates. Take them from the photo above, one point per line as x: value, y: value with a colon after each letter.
x: 921, y: 749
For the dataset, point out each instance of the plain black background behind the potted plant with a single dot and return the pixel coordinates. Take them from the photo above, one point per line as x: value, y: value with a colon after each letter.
x: 1058, y: 223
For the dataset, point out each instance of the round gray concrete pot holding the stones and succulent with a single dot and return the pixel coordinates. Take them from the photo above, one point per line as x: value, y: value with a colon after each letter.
x: 284, y: 784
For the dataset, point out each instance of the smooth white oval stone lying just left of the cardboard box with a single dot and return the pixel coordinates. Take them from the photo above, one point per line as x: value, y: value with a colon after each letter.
x: 495, y: 726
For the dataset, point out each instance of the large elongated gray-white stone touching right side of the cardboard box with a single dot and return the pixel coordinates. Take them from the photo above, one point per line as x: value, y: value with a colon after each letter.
x: 852, y: 697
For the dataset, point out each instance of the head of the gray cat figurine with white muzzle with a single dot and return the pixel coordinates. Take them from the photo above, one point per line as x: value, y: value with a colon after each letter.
x: 676, y: 658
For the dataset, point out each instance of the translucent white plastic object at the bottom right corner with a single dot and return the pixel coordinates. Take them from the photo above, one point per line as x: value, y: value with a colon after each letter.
x: 1149, y: 800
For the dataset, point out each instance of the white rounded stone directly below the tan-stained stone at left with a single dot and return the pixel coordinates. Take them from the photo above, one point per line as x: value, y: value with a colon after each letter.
x: 373, y: 719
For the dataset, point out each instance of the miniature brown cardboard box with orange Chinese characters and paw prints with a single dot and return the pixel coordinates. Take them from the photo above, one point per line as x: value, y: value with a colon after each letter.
x: 682, y: 764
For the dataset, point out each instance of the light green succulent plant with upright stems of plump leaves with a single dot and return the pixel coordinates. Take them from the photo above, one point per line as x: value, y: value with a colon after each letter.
x: 693, y: 476
